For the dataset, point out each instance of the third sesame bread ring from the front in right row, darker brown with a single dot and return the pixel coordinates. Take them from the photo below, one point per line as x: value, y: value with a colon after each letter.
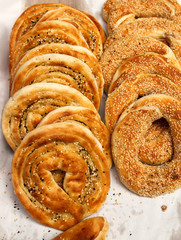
x: 151, y: 63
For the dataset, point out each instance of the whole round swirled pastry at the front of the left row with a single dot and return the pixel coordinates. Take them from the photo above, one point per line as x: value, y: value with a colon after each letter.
x: 60, y: 174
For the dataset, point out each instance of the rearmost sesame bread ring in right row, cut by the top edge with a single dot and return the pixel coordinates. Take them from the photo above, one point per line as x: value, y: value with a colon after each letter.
x: 126, y: 10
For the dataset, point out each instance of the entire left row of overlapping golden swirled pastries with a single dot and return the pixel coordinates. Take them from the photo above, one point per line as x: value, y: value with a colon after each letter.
x: 61, y: 166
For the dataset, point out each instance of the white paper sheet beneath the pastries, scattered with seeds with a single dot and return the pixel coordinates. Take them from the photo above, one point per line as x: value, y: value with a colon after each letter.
x: 129, y: 216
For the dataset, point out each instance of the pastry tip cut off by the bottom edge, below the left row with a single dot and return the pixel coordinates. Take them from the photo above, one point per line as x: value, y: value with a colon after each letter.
x: 91, y: 228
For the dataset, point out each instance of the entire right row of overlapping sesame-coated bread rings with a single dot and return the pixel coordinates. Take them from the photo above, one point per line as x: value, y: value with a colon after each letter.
x: 142, y: 72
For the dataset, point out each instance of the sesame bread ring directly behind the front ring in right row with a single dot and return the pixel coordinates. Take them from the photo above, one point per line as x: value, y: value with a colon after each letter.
x: 131, y: 89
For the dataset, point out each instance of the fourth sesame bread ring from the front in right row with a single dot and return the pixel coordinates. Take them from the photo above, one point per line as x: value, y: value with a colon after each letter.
x: 127, y: 47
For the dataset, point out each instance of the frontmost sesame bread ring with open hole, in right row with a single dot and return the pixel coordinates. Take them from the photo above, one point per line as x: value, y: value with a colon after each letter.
x: 145, y: 179
